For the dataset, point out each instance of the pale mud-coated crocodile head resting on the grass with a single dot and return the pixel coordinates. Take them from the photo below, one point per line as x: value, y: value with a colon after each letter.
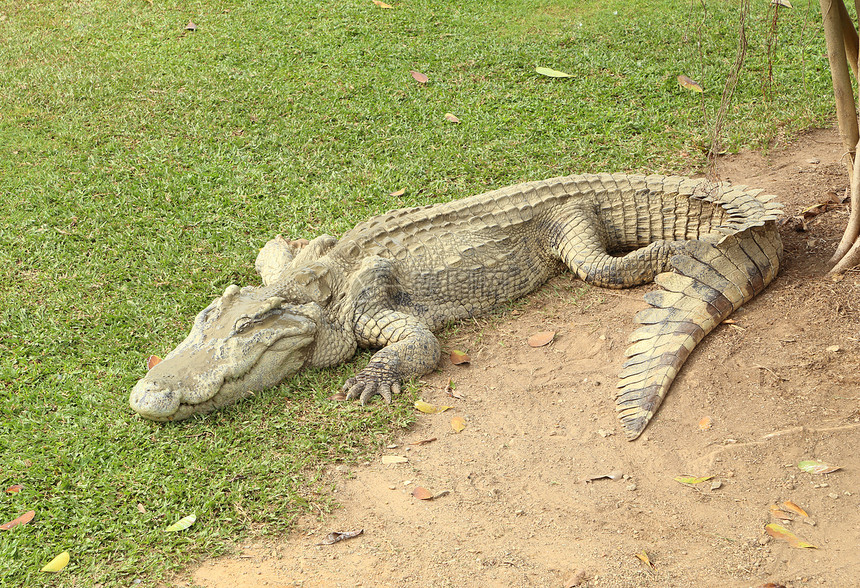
x: 243, y: 342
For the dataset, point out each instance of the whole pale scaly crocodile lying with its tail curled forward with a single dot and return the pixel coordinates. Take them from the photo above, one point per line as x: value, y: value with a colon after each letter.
x: 393, y: 280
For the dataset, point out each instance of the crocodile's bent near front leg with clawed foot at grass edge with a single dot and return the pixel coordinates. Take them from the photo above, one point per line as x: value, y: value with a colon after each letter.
x: 408, y: 349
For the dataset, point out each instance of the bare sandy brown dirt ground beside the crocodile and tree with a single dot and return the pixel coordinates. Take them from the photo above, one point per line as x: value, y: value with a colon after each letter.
x: 780, y: 385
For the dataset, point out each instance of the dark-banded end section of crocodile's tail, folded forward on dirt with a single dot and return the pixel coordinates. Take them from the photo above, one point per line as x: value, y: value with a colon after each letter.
x: 709, y: 282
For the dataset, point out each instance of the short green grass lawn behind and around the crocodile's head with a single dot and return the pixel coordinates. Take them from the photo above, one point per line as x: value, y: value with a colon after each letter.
x: 142, y: 166
